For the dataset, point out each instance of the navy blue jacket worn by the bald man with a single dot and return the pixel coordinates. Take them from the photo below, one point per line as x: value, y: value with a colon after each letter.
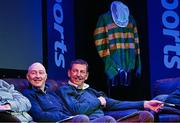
x: 45, y: 106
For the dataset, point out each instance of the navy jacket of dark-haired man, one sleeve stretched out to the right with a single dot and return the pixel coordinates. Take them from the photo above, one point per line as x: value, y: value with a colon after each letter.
x: 86, y: 102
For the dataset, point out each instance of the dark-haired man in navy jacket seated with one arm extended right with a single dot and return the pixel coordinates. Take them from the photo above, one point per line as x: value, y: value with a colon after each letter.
x: 81, y: 99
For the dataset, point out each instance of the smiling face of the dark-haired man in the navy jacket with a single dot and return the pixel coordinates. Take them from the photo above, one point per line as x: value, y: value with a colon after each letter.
x: 78, y: 74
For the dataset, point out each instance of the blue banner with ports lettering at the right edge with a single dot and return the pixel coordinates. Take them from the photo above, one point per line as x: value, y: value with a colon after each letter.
x: 164, y: 39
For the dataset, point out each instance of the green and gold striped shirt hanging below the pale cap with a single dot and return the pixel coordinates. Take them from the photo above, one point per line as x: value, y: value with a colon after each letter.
x: 117, y: 46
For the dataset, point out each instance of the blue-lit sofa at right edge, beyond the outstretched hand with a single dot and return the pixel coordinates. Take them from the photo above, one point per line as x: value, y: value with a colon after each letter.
x: 162, y: 88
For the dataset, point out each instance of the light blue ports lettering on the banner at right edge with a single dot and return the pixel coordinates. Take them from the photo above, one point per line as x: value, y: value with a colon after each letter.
x: 170, y: 20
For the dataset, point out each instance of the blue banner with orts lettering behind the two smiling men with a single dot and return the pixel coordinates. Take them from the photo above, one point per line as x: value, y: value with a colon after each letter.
x: 60, y: 29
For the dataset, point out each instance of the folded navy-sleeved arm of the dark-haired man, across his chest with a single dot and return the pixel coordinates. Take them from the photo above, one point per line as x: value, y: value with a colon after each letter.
x: 77, y: 102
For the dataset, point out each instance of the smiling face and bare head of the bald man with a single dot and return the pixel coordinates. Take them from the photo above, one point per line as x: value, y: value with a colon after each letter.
x: 37, y: 75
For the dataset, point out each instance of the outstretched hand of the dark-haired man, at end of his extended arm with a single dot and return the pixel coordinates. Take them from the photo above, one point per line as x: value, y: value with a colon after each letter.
x: 154, y: 105
